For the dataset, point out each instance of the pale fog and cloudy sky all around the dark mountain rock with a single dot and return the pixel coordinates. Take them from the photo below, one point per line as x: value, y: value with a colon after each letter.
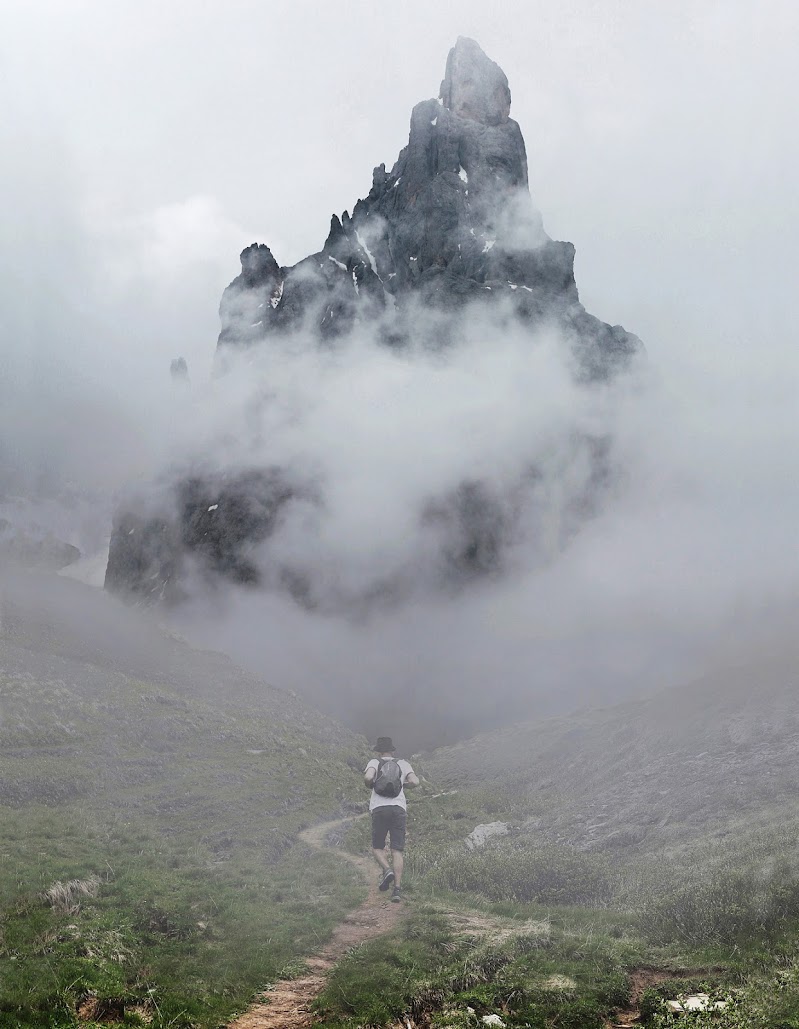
x: 143, y: 150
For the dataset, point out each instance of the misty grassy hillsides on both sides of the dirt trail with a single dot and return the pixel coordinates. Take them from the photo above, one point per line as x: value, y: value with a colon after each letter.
x: 180, y: 784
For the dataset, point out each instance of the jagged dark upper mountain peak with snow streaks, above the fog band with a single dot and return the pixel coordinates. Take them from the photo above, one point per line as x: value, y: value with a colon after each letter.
x: 451, y: 224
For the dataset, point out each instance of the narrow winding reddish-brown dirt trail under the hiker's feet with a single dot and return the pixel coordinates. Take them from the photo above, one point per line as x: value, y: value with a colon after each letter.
x: 288, y: 1004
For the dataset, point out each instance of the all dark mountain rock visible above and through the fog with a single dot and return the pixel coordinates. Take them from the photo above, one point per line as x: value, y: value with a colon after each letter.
x: 448, y: 233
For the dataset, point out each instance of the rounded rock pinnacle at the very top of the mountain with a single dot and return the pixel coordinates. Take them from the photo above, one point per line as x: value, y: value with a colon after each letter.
x: 475, y: 87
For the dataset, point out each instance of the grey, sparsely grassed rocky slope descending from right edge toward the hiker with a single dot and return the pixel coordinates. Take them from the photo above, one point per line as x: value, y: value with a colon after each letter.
x: 708, y: 760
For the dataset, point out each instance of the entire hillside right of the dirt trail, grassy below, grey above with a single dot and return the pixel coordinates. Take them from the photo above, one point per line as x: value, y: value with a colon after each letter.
x: 658, y: 835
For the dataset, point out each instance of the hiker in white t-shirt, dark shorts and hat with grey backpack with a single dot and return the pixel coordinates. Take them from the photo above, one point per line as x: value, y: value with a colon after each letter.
x: 388, y: 776
